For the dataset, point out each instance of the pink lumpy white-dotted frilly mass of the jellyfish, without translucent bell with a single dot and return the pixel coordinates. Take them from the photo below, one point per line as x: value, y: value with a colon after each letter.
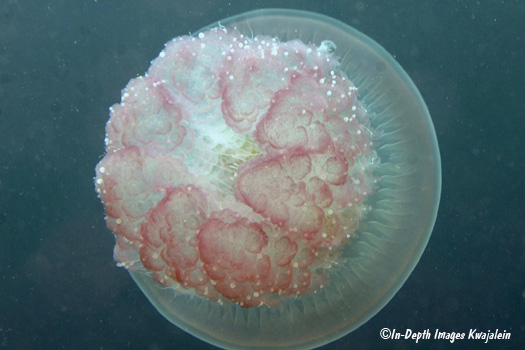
x: 236, y: 168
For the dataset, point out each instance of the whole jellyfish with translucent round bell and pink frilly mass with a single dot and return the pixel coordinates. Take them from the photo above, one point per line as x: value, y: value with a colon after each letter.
x: 271, y: 181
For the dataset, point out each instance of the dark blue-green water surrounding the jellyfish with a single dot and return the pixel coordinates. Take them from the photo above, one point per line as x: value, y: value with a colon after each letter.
x: 63, y: 63
